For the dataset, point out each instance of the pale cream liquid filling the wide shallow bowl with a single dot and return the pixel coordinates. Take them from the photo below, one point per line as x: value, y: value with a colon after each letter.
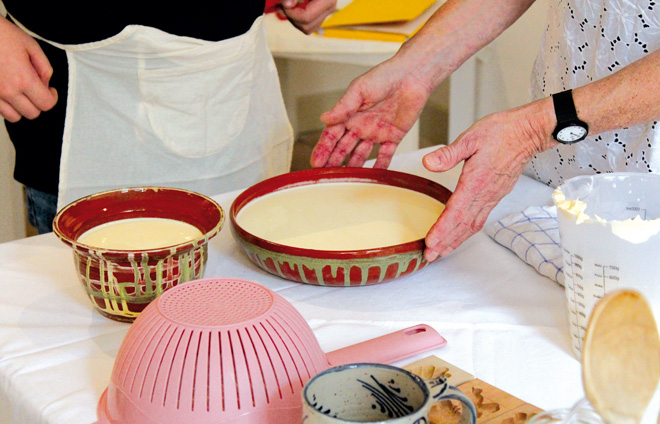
x: 341, y: 216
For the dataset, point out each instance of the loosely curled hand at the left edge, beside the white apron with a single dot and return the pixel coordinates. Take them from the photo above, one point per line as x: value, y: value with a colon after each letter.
x: 24, y: 75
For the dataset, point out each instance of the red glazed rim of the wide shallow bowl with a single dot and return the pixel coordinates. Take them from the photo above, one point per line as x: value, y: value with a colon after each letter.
x: 326, y: 175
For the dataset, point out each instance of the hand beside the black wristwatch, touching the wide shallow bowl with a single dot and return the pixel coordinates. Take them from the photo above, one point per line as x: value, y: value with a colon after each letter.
x: 496, y: 150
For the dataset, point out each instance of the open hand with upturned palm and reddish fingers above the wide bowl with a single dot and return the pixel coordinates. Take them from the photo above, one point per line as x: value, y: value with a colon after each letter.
x: 378, y: 109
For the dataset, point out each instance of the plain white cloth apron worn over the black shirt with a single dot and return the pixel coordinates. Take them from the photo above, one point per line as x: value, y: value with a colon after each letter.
x: 150, y: 108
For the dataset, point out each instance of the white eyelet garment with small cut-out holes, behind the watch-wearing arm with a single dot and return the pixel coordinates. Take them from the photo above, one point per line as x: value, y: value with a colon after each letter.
x: 587, y: 40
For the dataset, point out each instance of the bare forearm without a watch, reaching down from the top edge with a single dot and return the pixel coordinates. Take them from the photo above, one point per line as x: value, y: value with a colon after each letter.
x: 458, y: 30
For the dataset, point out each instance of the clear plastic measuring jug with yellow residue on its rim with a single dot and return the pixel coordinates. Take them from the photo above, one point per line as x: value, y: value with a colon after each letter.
x: 609, y: 227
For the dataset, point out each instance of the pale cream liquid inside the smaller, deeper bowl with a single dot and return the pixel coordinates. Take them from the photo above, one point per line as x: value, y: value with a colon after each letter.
x: 139, y: 234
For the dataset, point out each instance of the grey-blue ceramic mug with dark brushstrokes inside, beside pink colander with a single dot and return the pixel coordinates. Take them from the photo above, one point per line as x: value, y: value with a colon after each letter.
x: 377, y: 393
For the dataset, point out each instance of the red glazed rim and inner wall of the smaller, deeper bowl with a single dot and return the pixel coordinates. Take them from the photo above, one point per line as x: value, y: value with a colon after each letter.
x: 207, y: 216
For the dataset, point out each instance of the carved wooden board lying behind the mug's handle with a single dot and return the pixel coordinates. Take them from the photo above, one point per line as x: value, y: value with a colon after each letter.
x: 494, y: 406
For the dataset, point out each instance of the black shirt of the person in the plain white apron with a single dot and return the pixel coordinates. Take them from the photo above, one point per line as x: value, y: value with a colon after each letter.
x: 38, y: 142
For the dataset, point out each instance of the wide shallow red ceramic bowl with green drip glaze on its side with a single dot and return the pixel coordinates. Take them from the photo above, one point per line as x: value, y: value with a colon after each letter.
x: 334, y: 268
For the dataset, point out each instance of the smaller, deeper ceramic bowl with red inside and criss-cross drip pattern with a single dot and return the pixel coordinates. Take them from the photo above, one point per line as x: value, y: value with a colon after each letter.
x: 121, y: 283
